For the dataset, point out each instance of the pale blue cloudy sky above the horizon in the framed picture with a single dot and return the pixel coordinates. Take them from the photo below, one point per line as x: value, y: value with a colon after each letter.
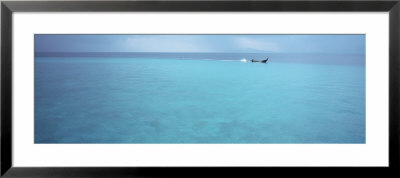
x: 338, y: 44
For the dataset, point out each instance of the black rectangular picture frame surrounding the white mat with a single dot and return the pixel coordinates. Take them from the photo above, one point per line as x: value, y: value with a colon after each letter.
x: 8, y: 7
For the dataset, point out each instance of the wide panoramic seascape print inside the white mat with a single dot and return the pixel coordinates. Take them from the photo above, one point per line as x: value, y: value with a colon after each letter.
x: 199, y: 89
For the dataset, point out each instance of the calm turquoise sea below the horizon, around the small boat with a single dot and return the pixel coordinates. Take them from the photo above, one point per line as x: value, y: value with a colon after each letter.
x: 199, y: 98
